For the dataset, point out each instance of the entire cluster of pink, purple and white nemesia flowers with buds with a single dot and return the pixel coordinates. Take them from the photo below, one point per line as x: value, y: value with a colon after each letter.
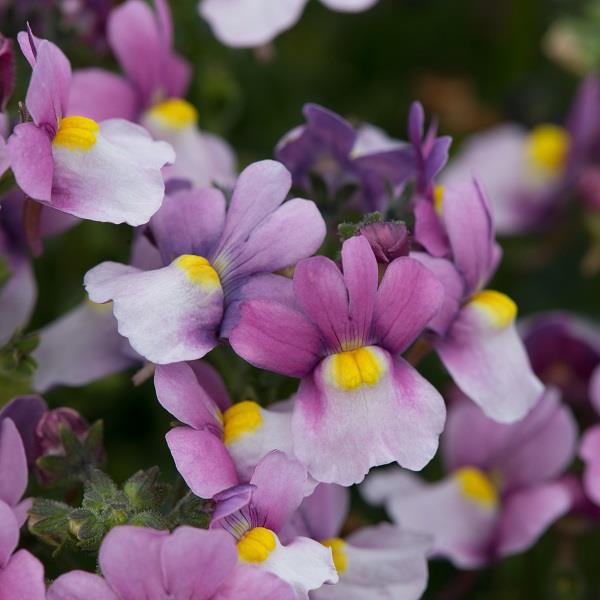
x: 284, y: 323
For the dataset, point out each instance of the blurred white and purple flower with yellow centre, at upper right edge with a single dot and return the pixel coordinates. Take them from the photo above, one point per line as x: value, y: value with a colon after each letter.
x: 527, y: 173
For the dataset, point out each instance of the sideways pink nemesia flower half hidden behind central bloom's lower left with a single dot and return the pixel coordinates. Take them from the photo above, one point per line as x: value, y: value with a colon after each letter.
x: 220, y: 443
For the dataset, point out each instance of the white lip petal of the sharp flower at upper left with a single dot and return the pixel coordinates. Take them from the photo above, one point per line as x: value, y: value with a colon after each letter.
x: 117, y: 180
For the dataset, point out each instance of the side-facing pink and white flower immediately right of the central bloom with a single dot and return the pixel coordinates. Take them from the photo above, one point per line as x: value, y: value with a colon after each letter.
x: 474, y: 333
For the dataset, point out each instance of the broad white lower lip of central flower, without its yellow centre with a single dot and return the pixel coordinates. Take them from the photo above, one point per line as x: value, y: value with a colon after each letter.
x: 340, y: 434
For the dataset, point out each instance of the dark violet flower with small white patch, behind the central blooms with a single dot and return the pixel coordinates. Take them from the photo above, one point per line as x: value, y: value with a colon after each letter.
x: 341, y: 155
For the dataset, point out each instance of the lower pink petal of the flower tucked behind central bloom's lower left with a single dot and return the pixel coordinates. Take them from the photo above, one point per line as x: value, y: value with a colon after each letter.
x: 202, y: 460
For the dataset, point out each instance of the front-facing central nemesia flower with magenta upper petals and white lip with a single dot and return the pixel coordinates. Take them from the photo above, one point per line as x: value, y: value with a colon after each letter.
x: 359, y: 404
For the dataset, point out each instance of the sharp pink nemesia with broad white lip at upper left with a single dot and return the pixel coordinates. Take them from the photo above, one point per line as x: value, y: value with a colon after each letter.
x: 107, y: 171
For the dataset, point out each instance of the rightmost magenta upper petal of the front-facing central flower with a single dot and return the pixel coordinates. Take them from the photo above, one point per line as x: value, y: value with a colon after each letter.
x: 408, y: 298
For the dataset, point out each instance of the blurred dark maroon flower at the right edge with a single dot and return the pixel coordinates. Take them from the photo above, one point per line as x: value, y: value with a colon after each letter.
x: 564, y: 351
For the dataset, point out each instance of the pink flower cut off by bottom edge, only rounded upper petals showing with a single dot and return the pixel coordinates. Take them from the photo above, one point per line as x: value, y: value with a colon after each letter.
x: 189, y: 564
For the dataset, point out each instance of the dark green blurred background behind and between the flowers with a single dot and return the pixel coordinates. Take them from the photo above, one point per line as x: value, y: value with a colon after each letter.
x: 473, y: 63
